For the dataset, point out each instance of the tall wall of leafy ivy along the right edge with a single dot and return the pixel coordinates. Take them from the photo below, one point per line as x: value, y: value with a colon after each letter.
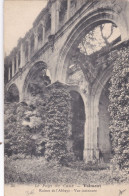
x: 119, y: 108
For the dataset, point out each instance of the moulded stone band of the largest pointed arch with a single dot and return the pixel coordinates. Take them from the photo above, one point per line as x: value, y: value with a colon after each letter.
x: 84, y: 26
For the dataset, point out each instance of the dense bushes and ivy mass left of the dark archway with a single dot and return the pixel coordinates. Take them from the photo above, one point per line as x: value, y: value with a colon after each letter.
x: 41, y: 126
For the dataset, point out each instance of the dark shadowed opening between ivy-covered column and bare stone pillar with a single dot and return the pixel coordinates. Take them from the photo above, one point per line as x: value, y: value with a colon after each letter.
x: 78, y: 121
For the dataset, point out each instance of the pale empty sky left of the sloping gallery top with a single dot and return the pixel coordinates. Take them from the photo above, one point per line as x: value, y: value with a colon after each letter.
x: 19, y: 16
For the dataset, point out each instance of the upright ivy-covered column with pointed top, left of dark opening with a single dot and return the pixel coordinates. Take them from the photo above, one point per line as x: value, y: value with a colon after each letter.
x: 58, y: 120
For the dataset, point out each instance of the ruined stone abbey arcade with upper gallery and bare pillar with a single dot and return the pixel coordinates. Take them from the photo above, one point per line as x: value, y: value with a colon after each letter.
x: 50, y: 44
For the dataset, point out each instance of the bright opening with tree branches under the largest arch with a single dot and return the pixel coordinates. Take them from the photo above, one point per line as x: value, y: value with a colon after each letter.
x: 100, y: 38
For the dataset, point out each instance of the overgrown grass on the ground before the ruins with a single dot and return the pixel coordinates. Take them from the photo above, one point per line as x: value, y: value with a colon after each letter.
x: 37, y: 170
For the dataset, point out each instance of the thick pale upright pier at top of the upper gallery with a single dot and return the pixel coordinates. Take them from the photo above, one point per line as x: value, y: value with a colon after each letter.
x: 54, y: 17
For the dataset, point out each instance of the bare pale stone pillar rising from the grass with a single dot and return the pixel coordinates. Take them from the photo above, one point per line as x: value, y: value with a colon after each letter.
x: 91, y: 150
